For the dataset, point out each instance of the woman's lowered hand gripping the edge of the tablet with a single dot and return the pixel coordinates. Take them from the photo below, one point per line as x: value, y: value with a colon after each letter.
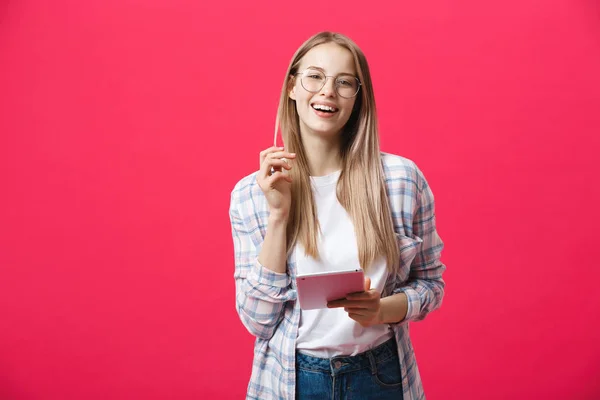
x: 364, y: 307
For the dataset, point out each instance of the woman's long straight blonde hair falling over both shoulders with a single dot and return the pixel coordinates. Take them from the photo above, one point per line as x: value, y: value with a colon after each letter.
x: 362, y: 170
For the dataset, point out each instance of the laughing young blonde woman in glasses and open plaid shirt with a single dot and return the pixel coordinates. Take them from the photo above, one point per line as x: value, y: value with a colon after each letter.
x: 330, y: 200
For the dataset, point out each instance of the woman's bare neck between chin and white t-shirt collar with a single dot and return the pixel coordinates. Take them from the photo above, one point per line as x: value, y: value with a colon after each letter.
x: 323, y: 154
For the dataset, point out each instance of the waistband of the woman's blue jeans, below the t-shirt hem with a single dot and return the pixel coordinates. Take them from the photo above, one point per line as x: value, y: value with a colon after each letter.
x: 342, y: 364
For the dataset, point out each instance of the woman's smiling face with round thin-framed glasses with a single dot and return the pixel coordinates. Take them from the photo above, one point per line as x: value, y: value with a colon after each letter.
x: 325, y: 112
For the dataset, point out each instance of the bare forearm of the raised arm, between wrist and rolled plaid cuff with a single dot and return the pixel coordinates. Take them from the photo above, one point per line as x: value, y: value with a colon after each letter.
x: 273, y: 253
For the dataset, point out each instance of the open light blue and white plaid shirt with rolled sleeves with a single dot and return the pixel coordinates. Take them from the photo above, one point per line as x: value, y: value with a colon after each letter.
x: 266, y: 301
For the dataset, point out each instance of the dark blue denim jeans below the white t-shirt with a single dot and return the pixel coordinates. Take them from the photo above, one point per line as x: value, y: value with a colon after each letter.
x: 374, y: 374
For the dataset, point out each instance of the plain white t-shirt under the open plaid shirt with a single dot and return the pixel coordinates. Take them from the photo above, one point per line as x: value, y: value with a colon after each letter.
x: 331, y: 332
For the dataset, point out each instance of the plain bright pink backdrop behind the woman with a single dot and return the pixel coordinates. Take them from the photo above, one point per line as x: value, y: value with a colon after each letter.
x: 125, y: 124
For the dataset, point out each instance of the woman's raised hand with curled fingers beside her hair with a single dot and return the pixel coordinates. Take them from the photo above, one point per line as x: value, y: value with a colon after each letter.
x: 277, y: 185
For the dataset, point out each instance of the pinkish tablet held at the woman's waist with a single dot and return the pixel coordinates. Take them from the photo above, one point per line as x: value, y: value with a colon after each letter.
x: 316, y: 289
